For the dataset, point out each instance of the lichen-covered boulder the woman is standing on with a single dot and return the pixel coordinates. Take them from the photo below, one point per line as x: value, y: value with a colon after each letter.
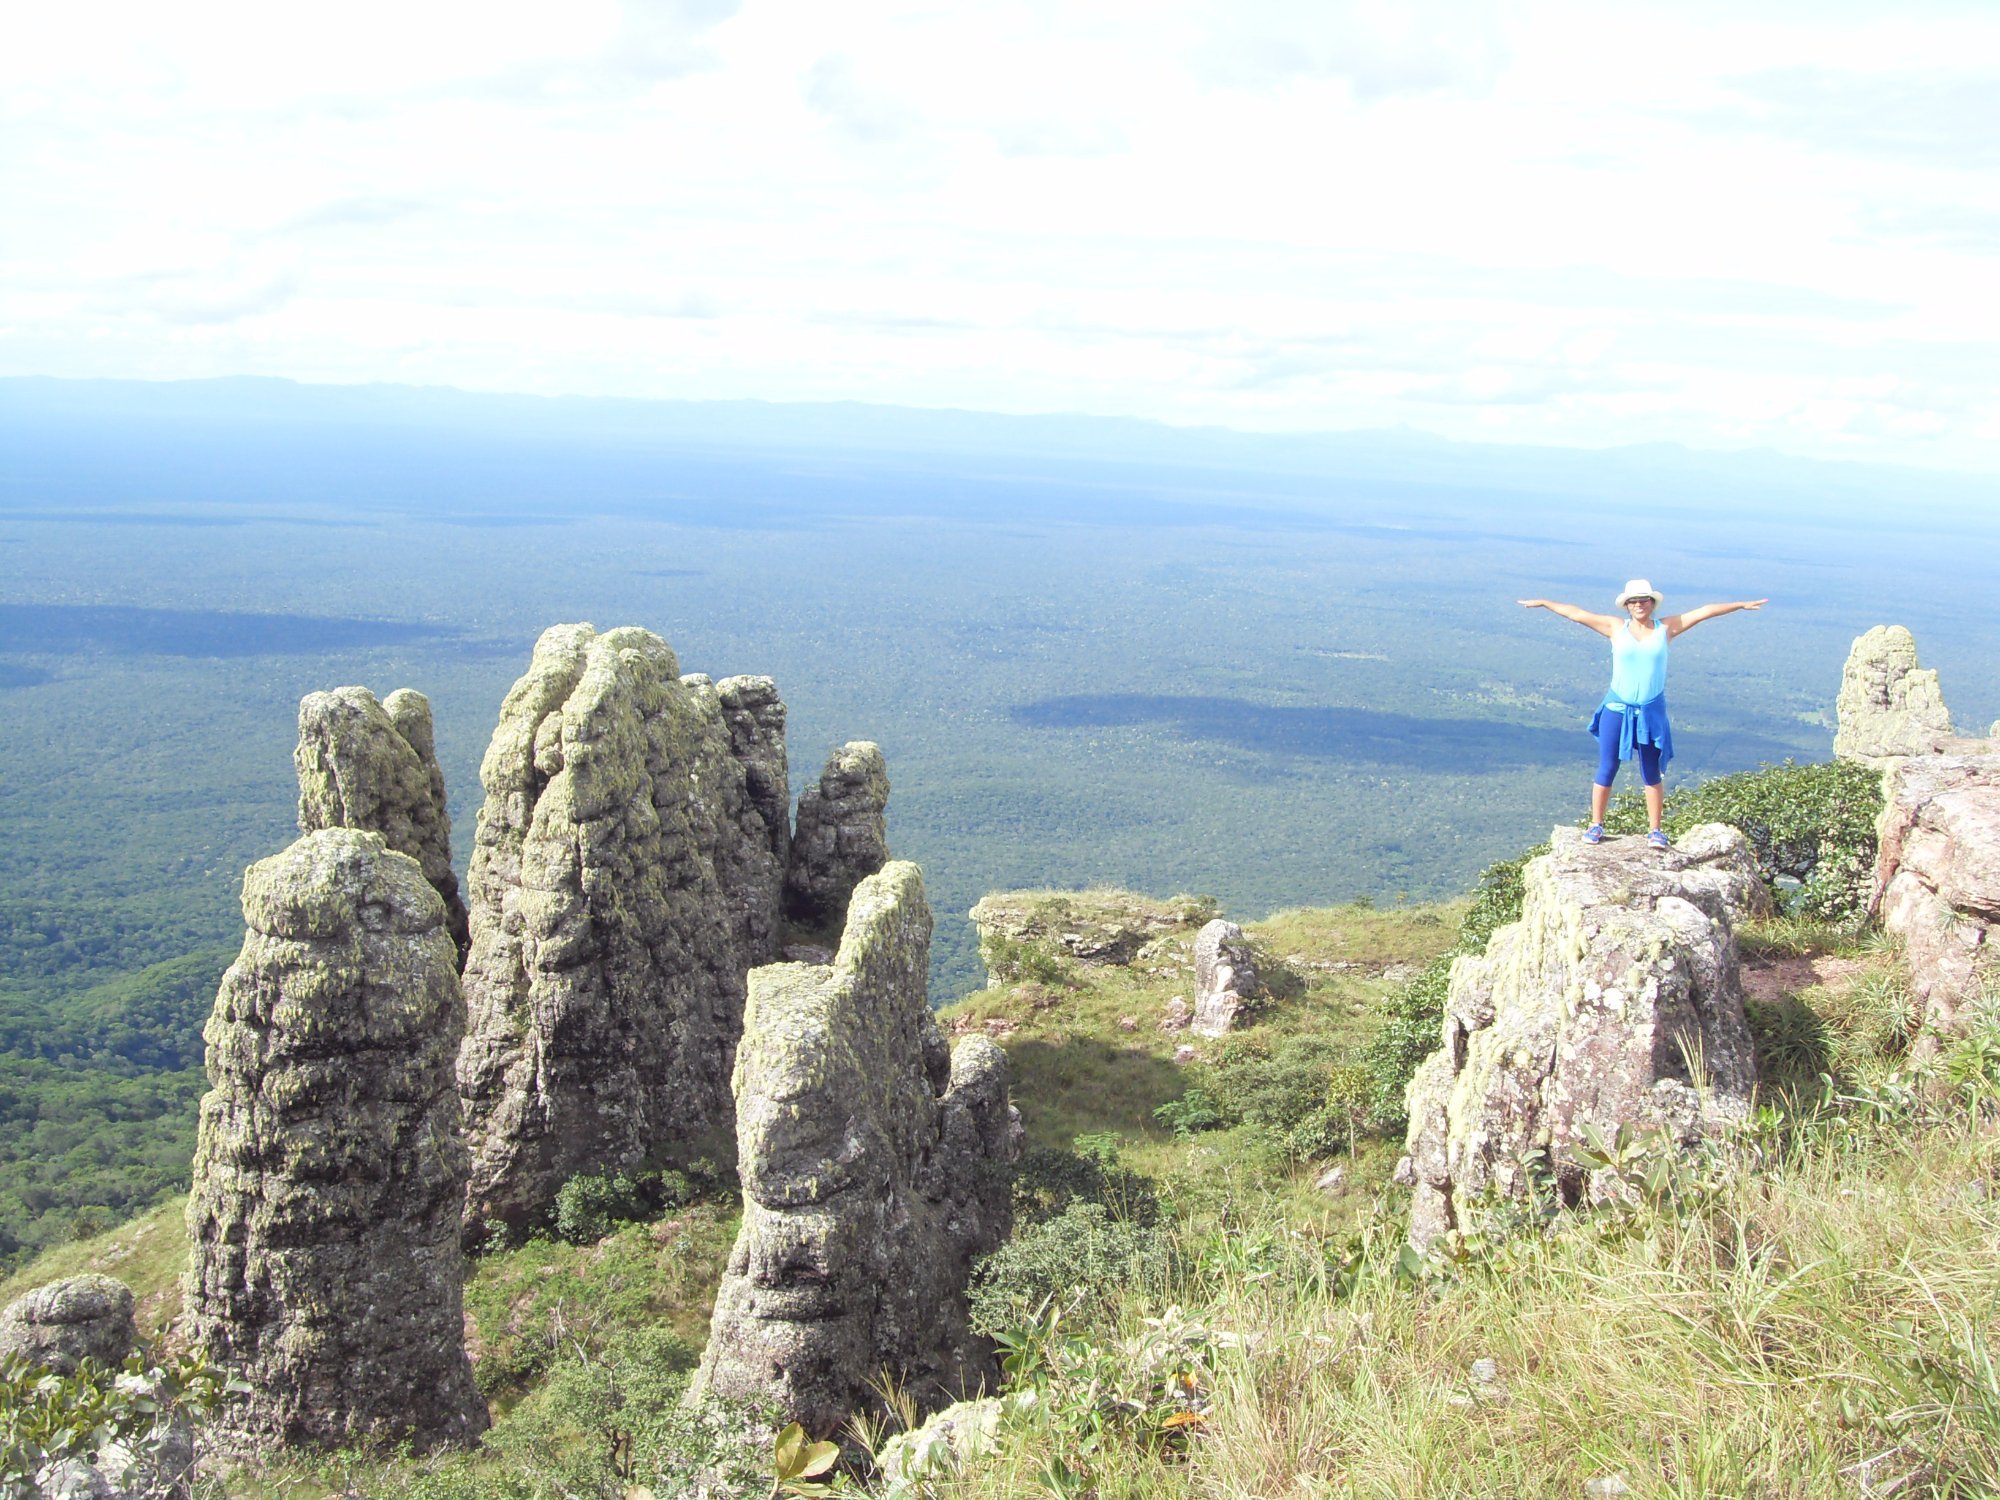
x: 1613, y: 1001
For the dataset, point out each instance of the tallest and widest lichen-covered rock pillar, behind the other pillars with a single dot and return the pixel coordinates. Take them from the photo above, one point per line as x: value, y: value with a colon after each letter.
x: 621, y: 881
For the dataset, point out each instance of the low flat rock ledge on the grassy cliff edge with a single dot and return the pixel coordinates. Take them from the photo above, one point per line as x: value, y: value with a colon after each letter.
x: 1089, y: 927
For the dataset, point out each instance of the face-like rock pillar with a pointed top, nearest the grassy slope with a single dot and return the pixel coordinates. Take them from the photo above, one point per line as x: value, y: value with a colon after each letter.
x: 877, y: 1169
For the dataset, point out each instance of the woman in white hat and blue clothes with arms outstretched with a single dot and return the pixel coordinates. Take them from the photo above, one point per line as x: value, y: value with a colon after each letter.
x: 1633, y: 715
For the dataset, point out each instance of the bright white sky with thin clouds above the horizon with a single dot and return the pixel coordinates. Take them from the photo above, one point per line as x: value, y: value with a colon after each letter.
x: 1575, y: 223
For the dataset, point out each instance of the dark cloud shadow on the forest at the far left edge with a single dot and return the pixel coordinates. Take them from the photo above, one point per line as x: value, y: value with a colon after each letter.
x: 123, y: 631
